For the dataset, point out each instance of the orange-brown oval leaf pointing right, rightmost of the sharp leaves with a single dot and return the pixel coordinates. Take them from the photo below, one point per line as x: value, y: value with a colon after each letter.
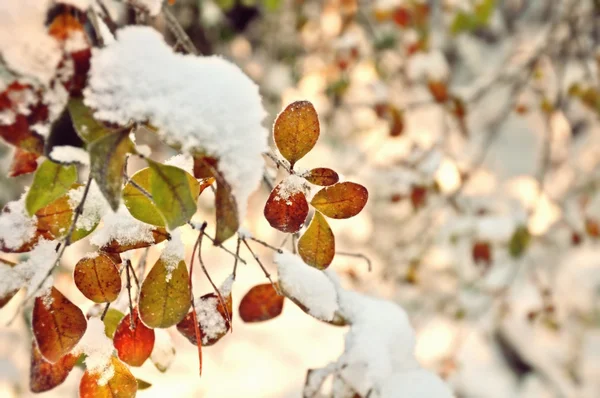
x: 342, y: 200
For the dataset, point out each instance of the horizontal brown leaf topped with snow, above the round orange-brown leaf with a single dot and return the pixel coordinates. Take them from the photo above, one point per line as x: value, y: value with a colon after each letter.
x: 121, y: 232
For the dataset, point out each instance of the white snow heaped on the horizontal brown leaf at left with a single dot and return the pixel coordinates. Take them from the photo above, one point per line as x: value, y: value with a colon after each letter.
x: 123, y: 228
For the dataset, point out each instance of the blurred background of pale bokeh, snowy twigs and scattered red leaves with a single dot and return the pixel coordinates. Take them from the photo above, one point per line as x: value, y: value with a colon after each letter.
x: 475, y: 126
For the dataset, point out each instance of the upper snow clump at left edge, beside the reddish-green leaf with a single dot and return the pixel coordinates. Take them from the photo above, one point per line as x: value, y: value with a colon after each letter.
x: 16, y: 227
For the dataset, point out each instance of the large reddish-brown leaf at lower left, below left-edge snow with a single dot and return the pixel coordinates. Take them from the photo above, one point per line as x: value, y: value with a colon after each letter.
x: 58, y: 325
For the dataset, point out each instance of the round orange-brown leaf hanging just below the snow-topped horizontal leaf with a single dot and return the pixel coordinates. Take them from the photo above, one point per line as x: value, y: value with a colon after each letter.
x: 98, y: 278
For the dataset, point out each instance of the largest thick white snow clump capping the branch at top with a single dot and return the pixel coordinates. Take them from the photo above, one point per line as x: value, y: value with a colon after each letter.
x: 202, y: 105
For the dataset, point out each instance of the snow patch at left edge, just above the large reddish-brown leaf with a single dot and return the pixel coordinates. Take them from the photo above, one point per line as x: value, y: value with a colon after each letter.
x: 31, y: 272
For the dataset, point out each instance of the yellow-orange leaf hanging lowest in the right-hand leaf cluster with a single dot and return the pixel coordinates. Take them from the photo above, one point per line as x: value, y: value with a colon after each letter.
x: 317, y: 245
